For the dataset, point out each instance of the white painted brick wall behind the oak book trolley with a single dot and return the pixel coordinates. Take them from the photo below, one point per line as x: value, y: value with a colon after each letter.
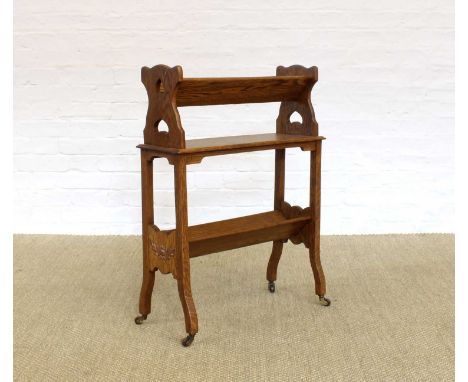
x: 384, y: 100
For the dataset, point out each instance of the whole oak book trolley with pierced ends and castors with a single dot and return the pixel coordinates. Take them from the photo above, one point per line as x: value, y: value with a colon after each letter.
x: 170, y: 251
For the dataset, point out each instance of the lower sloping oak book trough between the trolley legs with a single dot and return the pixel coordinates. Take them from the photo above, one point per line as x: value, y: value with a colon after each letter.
x: 243, y: 231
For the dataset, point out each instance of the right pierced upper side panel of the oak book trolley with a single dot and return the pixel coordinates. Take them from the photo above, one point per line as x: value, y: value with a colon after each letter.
x: 303, y: 106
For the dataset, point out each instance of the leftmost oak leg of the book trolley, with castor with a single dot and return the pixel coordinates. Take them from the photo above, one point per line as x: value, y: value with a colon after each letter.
x: 147, y: 219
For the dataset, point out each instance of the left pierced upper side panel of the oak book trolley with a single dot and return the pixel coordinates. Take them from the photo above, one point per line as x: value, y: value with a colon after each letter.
x: 161, y: 85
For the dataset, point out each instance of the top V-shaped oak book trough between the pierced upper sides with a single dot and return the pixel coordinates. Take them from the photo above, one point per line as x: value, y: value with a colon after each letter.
x: 220, y: 91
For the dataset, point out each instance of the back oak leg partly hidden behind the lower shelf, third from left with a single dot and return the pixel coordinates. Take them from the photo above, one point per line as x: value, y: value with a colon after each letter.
x: 277, y: 250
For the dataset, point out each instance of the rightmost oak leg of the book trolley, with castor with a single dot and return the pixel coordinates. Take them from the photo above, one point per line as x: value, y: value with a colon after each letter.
x: 314, y: 245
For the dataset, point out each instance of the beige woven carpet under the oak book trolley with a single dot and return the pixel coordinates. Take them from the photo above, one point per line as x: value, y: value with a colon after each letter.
x: 391, y: 318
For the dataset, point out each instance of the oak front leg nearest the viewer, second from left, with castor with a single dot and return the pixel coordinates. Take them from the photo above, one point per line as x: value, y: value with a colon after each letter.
x: 182, y: 251
